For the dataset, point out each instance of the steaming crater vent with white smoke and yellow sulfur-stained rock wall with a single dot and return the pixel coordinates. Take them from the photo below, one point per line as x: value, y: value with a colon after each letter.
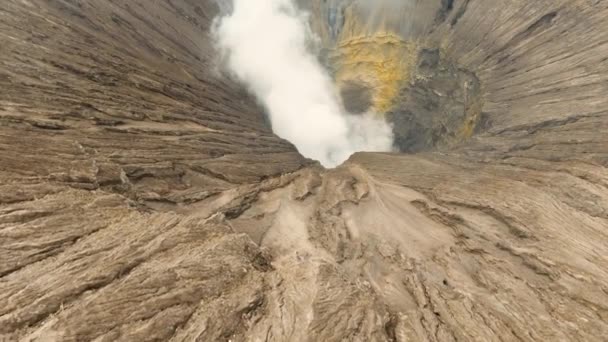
x: 375, y: 61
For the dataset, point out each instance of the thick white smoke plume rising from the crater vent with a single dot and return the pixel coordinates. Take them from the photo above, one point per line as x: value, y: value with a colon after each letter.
x: 266, y: 43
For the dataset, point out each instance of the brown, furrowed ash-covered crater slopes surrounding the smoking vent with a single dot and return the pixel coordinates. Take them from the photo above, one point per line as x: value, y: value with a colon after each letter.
x: 142, y: 196
